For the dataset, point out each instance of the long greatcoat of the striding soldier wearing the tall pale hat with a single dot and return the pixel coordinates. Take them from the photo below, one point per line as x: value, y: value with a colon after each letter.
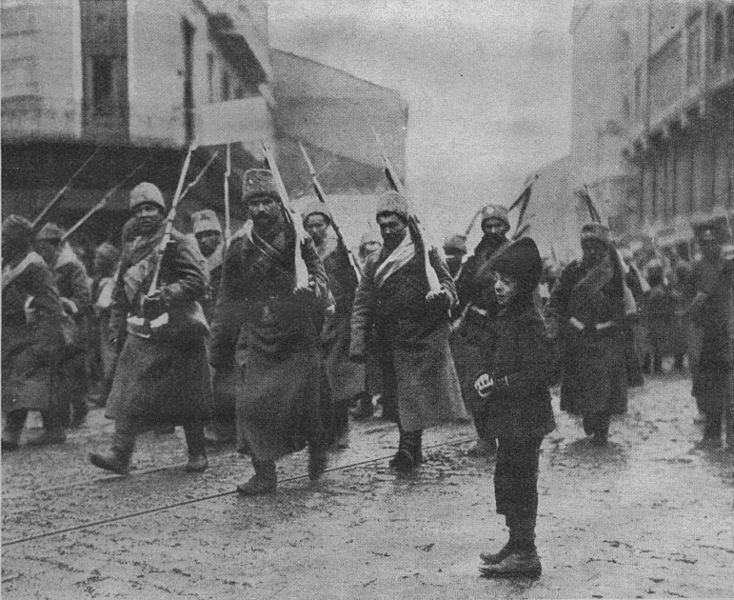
x: 162, y: 379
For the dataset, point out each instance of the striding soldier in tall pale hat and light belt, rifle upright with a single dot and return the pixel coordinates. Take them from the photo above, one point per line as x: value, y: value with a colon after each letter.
x: 162, y: 375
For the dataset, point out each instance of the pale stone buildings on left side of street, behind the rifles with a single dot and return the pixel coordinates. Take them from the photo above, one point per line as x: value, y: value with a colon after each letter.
x: 143, y: 79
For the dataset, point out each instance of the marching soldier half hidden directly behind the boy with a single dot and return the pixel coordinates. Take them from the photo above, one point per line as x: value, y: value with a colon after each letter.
x: 477, y: 302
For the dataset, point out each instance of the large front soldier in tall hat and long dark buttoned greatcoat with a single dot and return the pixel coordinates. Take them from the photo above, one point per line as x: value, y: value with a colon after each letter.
x: 283, y: 392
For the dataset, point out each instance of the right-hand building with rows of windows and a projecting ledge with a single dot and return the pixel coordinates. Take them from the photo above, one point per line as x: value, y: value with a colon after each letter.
x: 681, y: 129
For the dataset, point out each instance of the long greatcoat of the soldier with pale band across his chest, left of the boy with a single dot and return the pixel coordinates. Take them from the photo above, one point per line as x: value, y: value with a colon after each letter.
x: 412, y: 340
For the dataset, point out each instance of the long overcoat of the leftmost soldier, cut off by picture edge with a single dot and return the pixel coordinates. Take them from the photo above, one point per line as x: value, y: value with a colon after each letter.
x: 32, y: 338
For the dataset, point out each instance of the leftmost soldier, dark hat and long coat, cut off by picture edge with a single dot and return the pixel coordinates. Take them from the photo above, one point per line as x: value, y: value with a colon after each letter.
x: 32, y: 336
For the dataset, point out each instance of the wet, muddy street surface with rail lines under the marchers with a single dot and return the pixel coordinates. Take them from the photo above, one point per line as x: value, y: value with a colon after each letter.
x: 648, y: 516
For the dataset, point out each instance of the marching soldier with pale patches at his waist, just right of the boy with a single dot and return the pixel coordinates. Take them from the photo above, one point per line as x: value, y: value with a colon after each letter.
x: 586, y: 314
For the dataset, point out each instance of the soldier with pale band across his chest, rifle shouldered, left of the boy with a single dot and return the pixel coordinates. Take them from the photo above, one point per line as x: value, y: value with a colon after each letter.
x: 412, y: 326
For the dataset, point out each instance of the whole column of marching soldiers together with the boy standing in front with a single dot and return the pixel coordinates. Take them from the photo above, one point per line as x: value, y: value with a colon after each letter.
x: 270, y: 339
